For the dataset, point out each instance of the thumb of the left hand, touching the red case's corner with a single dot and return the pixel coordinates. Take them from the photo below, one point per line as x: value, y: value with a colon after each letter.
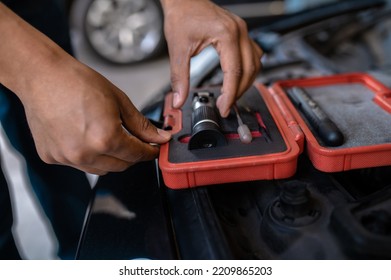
x: 139, y: 126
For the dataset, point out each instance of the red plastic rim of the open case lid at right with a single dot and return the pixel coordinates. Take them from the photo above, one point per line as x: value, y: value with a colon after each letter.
x: 359, y: 155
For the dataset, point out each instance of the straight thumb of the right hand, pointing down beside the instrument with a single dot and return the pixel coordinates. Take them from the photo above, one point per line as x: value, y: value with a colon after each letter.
x: 180, y: 75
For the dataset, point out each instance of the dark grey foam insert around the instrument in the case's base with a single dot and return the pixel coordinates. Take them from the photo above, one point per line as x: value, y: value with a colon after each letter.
x: 250, y: 104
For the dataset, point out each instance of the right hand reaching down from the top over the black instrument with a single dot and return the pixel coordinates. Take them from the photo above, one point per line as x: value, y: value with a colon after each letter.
x: 192, y: 25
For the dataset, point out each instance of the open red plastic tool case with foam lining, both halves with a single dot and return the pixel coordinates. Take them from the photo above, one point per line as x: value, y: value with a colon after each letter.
x: 356, y: 102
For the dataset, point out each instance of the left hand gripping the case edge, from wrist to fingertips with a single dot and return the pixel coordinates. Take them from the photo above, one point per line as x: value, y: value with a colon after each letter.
x: 78, y: 118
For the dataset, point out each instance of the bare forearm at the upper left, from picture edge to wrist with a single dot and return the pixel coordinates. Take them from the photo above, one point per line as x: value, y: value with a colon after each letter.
x: 26, y: 55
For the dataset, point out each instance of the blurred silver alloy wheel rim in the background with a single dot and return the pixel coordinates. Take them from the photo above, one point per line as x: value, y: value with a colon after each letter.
x: 124, y: 31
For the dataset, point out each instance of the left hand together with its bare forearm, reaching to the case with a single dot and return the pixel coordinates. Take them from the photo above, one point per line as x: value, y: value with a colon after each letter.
x: 76, y: 116
